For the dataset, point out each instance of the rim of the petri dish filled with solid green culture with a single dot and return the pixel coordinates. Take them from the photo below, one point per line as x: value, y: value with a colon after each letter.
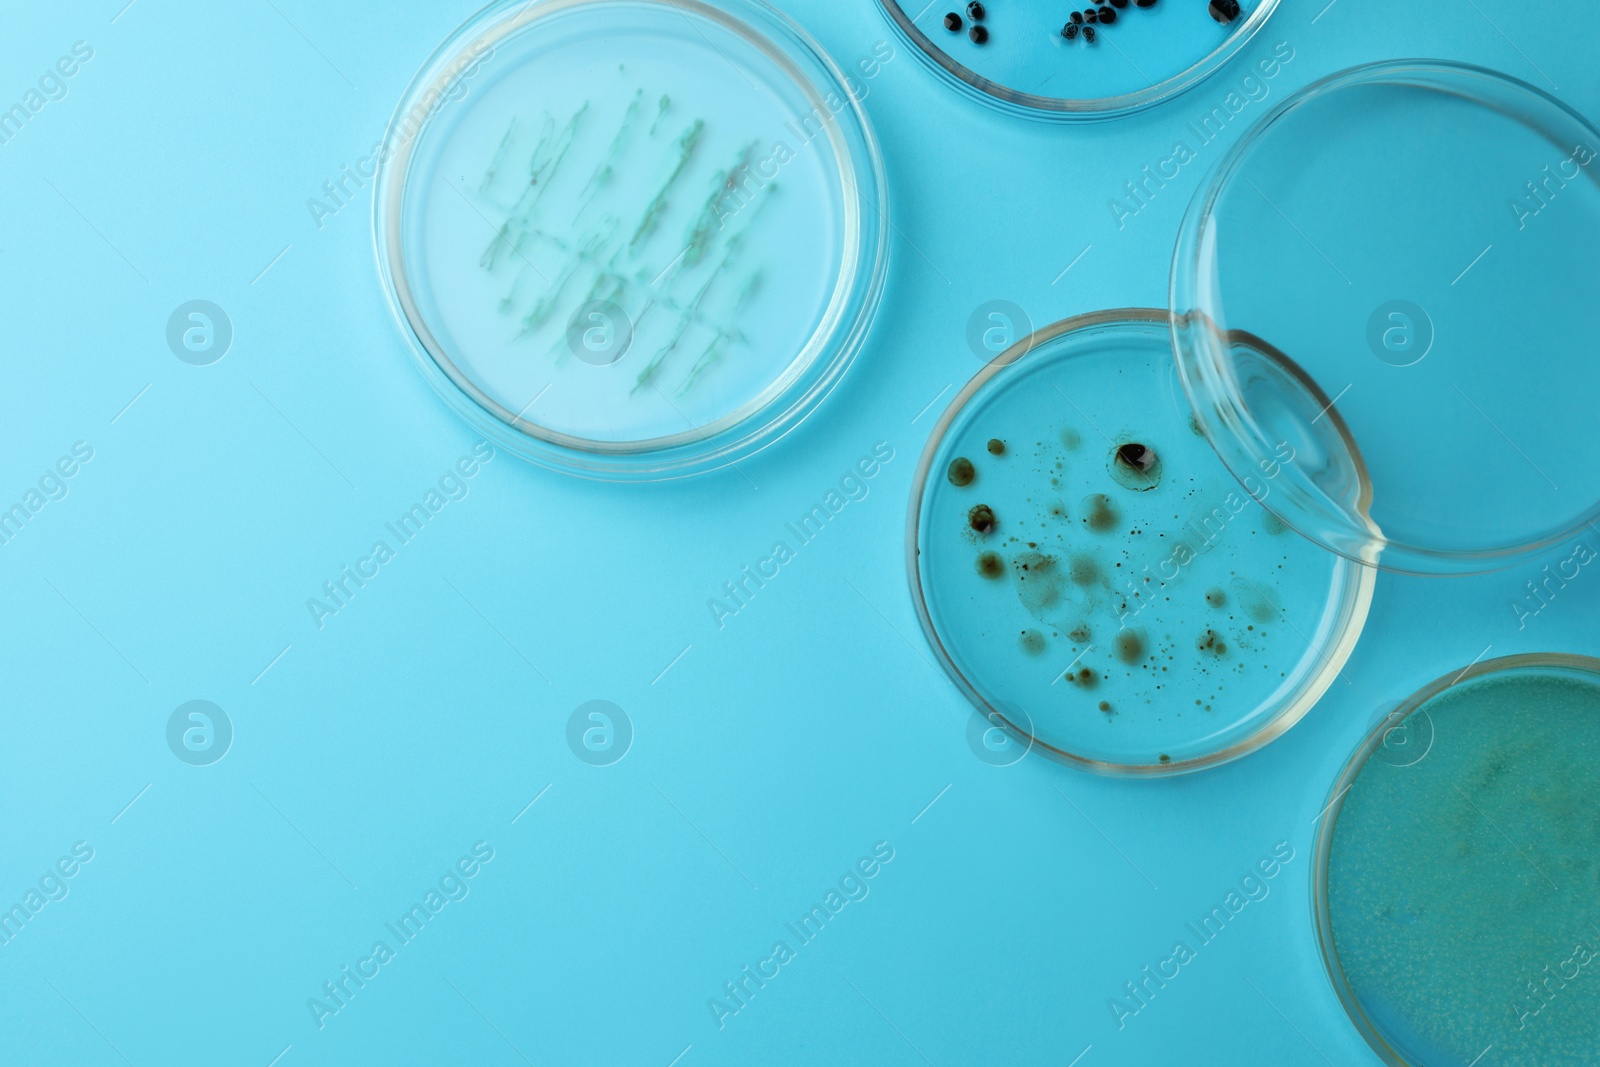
x: 1322, y: 922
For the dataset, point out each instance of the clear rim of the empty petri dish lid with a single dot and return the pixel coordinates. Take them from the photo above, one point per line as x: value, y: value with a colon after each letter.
x: 1202, y: 362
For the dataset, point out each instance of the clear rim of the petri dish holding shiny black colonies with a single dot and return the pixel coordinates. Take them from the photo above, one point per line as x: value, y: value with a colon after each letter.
x: 1068, y: 110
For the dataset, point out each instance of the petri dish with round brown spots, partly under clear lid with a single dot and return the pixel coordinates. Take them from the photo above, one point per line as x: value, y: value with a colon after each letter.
x: 1097, y: 583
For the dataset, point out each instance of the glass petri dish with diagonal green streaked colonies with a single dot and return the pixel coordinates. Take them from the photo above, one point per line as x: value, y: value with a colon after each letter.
x: 633, y: 239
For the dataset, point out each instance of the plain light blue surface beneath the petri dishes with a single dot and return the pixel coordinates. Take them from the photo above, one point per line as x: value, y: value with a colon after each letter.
x: 769, y: 754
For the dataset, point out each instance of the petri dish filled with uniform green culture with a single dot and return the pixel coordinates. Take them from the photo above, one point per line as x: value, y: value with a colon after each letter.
x: 1457, y: 871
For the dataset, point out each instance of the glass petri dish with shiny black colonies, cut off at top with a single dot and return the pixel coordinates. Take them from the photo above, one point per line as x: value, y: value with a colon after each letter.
x: 1026, y: 65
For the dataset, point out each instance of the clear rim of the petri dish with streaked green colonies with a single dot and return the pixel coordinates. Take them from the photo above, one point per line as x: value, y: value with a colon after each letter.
x: 804, y: 383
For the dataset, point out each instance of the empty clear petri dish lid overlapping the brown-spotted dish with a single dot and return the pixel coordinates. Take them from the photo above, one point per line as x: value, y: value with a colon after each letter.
x: 1418, y: 239
